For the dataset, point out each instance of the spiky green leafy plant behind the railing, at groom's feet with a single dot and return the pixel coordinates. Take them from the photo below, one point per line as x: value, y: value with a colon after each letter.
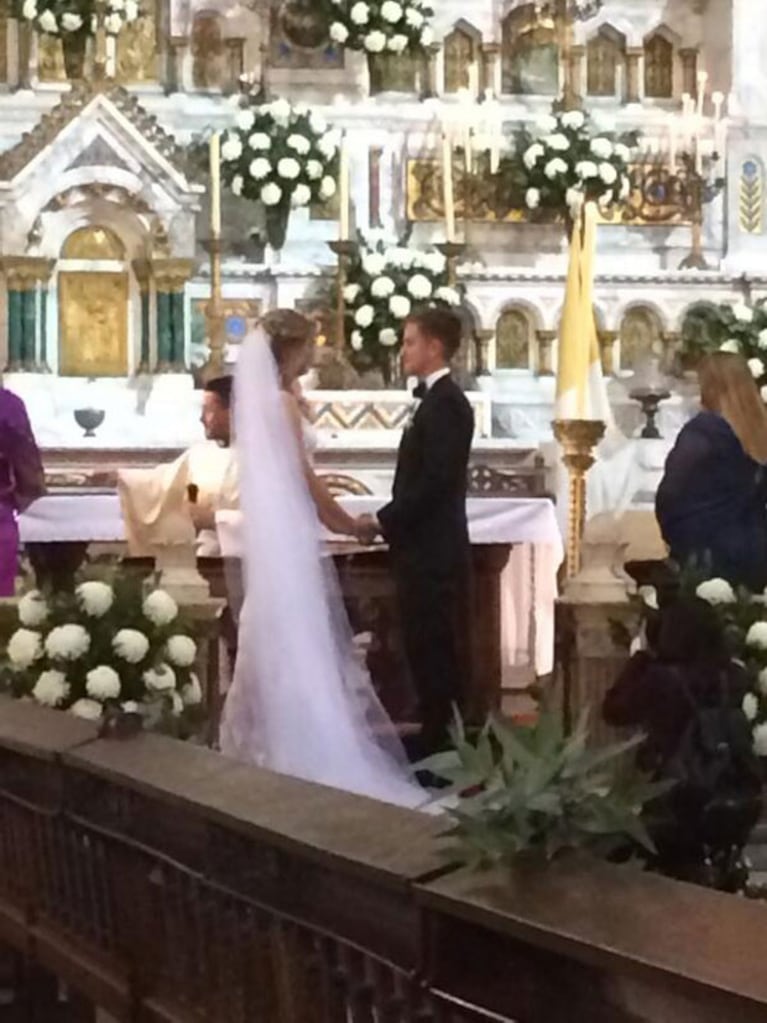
x: 533, y: 788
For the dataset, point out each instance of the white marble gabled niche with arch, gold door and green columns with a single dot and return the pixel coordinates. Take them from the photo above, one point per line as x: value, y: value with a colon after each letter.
x: 98, y: 161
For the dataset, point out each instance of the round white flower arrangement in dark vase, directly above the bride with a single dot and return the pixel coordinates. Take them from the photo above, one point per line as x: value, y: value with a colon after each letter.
x: 282, y: 156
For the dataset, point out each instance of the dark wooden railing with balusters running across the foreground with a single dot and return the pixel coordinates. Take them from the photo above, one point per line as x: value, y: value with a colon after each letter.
x: 165, y: 883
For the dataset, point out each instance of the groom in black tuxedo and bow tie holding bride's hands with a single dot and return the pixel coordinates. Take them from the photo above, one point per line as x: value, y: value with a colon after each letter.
x: 426, y: 523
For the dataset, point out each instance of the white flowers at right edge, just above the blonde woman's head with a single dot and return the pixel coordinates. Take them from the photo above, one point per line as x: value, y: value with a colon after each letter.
x: 732, y: 327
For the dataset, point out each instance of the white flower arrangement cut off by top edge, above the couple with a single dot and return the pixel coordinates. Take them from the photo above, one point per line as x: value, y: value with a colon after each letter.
x: 382, y: 26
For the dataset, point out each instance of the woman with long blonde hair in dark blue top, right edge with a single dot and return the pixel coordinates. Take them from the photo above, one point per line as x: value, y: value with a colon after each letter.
x: 712, y: 503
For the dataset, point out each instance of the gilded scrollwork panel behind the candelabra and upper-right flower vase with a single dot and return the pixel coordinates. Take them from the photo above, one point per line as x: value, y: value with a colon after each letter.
x: 656, y: 197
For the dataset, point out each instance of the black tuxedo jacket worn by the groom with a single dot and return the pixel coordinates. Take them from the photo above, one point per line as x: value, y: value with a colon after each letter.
x: 426, y: 522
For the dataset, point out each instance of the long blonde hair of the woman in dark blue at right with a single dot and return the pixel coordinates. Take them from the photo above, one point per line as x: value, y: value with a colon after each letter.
x: 729, y: 388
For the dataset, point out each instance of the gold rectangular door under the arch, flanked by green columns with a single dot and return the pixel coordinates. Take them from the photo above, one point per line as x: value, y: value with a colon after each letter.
x: 94, y: 325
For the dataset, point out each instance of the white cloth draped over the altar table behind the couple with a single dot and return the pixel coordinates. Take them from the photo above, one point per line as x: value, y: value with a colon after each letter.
x: 529, y: 583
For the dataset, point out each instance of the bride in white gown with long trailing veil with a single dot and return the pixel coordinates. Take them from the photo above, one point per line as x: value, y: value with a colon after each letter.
x: 301, y: 703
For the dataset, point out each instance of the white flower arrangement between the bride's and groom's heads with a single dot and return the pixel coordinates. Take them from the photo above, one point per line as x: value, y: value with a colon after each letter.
x: 385, y: 284
